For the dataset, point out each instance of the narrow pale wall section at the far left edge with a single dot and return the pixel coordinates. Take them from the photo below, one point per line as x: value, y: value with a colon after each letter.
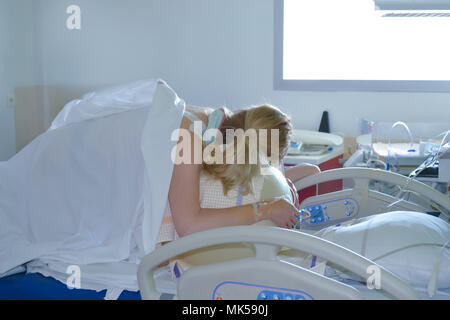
x: 17, y: 63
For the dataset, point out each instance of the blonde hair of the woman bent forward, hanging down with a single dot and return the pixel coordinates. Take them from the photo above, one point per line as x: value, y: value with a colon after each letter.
x: 261, y: 117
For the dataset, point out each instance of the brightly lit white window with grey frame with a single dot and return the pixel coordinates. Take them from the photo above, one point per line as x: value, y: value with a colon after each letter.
x: 348, y: 45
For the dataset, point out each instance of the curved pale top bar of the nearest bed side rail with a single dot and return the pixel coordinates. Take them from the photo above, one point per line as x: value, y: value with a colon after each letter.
x: 264, y: 238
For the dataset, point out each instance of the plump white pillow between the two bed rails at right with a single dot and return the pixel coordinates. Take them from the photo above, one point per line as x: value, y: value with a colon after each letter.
x: 409, y: 244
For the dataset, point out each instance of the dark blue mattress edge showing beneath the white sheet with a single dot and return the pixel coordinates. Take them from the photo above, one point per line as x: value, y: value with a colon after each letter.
x: 35, y: 286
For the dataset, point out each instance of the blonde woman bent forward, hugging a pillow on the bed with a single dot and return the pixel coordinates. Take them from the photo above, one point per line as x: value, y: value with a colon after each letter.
x: 189, y: 216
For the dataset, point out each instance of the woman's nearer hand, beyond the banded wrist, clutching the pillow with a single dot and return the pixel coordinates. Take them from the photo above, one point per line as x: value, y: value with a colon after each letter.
x: 281, y: 212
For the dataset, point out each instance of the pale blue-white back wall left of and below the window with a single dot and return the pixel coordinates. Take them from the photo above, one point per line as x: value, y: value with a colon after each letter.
x: 213, y: 52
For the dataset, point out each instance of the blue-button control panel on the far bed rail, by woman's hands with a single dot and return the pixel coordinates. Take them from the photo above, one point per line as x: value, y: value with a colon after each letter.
x: 331, y: 211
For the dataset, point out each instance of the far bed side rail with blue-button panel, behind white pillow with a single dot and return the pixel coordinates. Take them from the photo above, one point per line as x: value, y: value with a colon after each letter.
x: 361, y: 201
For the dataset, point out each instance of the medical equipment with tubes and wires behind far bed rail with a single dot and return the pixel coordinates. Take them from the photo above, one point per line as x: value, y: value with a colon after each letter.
x: 422, y: 157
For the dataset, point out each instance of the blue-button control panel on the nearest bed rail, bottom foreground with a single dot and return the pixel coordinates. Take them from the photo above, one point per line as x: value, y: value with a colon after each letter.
x: 229, y: 289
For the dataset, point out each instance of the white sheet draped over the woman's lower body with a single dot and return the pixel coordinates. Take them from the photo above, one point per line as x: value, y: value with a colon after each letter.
x: 81, y: 192
